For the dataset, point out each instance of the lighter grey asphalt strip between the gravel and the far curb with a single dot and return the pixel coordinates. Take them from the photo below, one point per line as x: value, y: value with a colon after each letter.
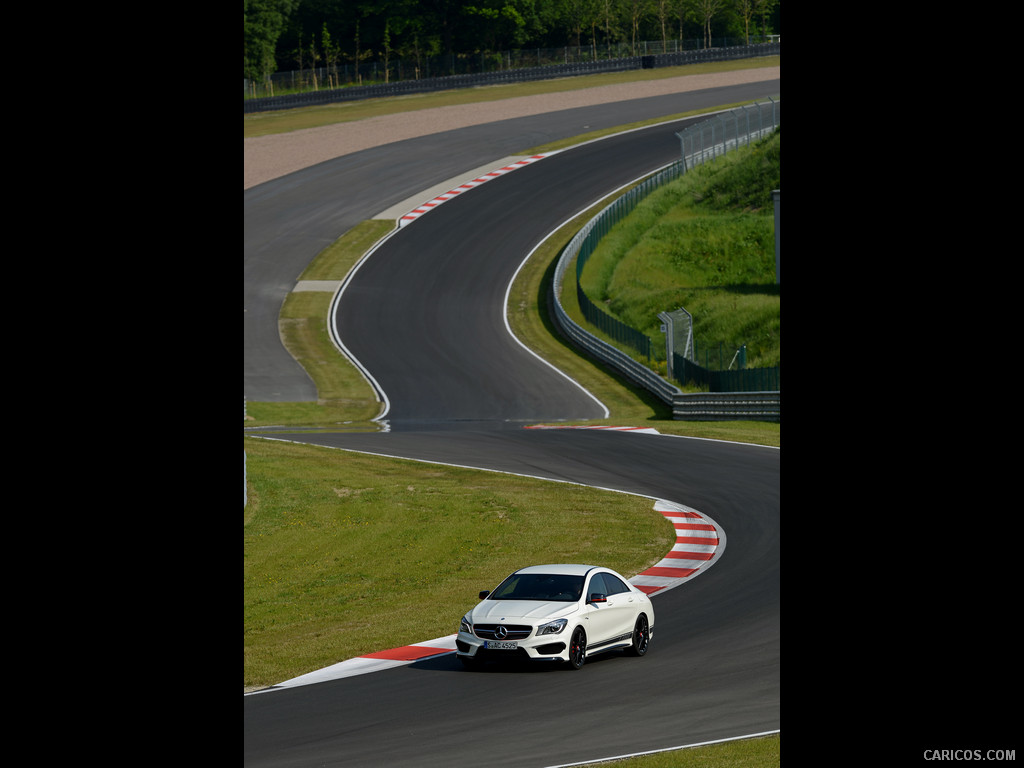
x: 288, y: 222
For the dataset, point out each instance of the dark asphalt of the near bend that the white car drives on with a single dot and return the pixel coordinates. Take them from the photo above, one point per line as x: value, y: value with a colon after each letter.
x: 713, y: 672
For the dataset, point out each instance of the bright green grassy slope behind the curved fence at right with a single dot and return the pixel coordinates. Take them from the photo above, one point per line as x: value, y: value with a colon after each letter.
x: 707, y: 243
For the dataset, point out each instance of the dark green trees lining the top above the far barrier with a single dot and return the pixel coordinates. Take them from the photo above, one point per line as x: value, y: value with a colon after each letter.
x: 284, y: 35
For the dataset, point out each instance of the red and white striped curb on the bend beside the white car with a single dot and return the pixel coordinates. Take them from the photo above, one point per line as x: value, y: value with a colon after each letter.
x: 699, y: 543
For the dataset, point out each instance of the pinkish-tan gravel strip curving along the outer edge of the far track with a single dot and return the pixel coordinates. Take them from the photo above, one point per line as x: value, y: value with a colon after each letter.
x: 269, y: 158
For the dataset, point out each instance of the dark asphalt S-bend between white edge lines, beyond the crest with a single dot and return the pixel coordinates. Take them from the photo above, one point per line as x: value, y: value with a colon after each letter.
x: 425, y: 314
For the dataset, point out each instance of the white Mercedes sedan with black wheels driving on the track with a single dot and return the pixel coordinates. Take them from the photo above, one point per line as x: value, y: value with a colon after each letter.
x: 559, y: 614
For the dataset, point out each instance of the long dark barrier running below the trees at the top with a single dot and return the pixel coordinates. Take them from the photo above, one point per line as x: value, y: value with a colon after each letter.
x: 403, y: 88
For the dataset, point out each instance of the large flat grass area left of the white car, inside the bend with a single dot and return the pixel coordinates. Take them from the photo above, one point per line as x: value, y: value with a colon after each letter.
x: 346, y: 554
